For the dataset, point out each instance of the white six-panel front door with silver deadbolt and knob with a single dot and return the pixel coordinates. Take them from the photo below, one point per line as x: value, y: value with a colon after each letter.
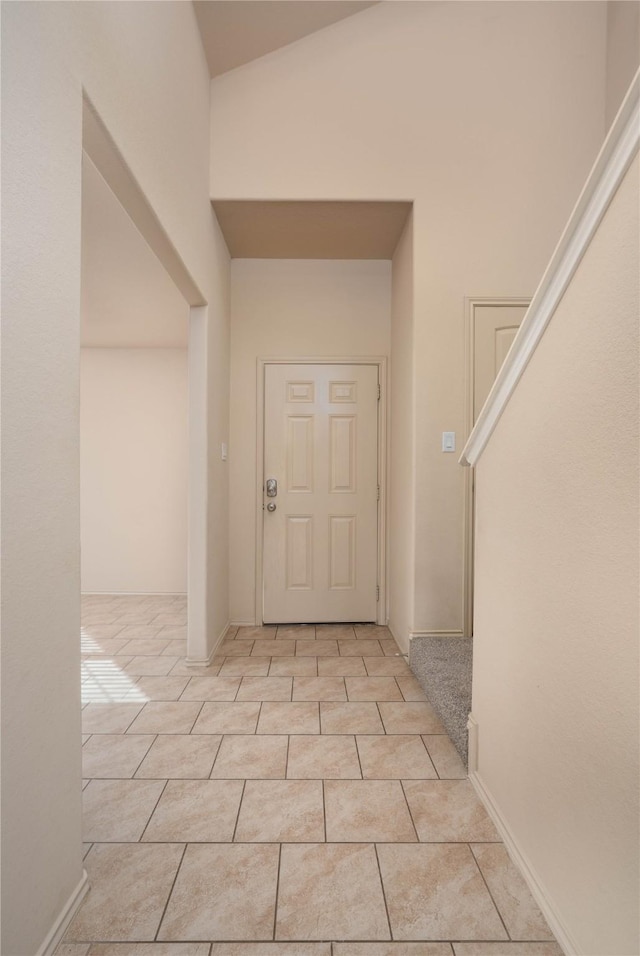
x: 321, y: 516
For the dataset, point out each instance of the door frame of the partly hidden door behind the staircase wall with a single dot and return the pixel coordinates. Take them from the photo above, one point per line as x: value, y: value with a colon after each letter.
x: 471, y: 304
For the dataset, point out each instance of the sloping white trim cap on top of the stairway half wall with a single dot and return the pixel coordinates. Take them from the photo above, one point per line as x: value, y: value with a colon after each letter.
x: 614, y: 159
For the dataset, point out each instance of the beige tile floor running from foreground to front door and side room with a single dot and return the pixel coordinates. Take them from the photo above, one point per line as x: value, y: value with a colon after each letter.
x: 299, y: 797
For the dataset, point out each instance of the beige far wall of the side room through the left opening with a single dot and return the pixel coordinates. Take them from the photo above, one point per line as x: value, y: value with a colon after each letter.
x: 133, y: 470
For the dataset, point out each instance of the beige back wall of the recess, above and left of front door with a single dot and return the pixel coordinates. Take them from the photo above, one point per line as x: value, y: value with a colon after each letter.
x: 289, y: 308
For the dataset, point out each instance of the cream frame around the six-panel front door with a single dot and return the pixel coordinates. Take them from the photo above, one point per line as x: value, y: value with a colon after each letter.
x: 381, y: 363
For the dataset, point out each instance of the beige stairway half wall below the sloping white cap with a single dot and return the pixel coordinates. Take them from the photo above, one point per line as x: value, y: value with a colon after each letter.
x: 555, y: 687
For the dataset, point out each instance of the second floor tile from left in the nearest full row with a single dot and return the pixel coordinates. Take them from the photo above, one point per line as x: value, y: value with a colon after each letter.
x: 223, y: 892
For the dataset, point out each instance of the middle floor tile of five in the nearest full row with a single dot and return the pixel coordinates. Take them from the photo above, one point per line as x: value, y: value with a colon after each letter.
x: 330, y: 891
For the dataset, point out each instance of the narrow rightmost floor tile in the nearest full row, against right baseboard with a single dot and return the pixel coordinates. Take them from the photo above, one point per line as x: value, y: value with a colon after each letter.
x: 512, y: 896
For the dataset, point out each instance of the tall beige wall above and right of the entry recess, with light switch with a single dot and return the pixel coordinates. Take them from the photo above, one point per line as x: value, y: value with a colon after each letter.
x: 489, y: 116
